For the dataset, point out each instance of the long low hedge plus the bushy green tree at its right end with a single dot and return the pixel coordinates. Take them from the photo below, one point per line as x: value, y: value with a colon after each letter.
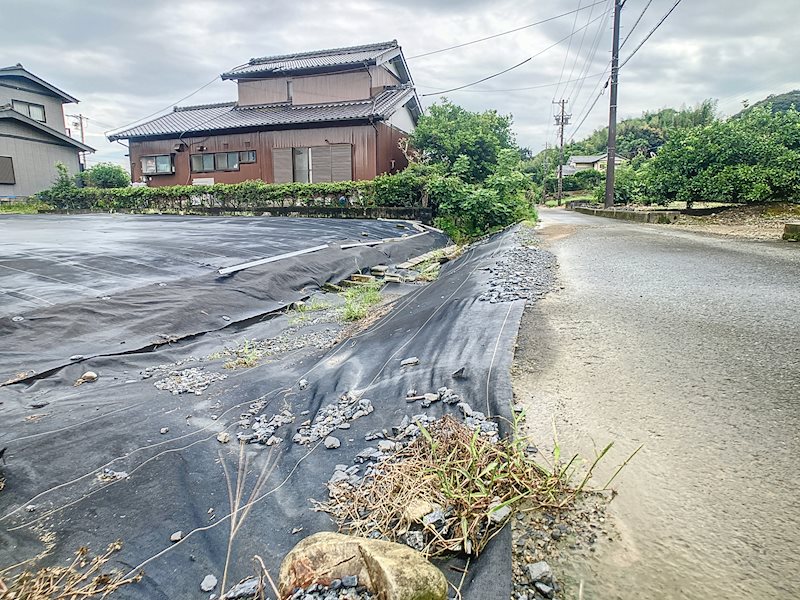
x: 465, y: 166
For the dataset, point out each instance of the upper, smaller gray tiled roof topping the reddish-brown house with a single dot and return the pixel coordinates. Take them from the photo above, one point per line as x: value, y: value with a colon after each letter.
x: 319, y: 59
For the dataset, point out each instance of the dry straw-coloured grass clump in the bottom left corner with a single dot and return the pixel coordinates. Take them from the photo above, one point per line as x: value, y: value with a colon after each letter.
x: 84, y: 577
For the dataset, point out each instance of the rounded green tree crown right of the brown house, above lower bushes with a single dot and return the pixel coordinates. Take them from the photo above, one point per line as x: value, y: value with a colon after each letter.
x: 463, y: 143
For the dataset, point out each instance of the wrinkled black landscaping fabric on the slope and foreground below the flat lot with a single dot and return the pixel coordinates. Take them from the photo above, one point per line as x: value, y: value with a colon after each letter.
x: 175, y: 480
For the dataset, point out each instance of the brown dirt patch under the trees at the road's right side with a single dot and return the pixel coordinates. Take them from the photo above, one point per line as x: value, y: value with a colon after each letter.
x: 759, y: 222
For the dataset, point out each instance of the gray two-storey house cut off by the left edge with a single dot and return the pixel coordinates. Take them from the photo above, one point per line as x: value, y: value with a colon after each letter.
x: 32, y: 133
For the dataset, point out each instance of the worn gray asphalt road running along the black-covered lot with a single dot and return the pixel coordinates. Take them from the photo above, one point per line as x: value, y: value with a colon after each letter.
x: 690, y: 345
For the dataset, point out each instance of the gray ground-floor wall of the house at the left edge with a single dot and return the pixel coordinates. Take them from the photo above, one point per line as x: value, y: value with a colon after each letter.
x: 34, y: 155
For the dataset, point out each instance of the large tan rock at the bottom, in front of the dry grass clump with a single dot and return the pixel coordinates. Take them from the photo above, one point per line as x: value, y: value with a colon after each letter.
x: 392, y: 571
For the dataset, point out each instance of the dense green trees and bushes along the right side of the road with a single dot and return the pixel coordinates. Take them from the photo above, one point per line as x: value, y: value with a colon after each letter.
x: 691, y: 156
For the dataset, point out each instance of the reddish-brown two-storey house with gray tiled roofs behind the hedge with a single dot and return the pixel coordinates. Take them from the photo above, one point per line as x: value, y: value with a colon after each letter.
x: 329, y: 115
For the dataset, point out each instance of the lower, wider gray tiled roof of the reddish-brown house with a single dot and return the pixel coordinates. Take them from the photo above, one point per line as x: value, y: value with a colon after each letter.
x: 230, y: 116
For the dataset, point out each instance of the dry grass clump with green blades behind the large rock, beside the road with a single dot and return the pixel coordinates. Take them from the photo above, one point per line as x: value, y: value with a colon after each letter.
x: 468, y: 477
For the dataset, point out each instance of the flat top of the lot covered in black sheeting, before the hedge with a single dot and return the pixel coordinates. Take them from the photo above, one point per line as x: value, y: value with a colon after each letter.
x: 50, y: 259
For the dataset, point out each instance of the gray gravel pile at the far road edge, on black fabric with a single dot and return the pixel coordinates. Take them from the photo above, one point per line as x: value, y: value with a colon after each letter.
x: 522, y: 272
